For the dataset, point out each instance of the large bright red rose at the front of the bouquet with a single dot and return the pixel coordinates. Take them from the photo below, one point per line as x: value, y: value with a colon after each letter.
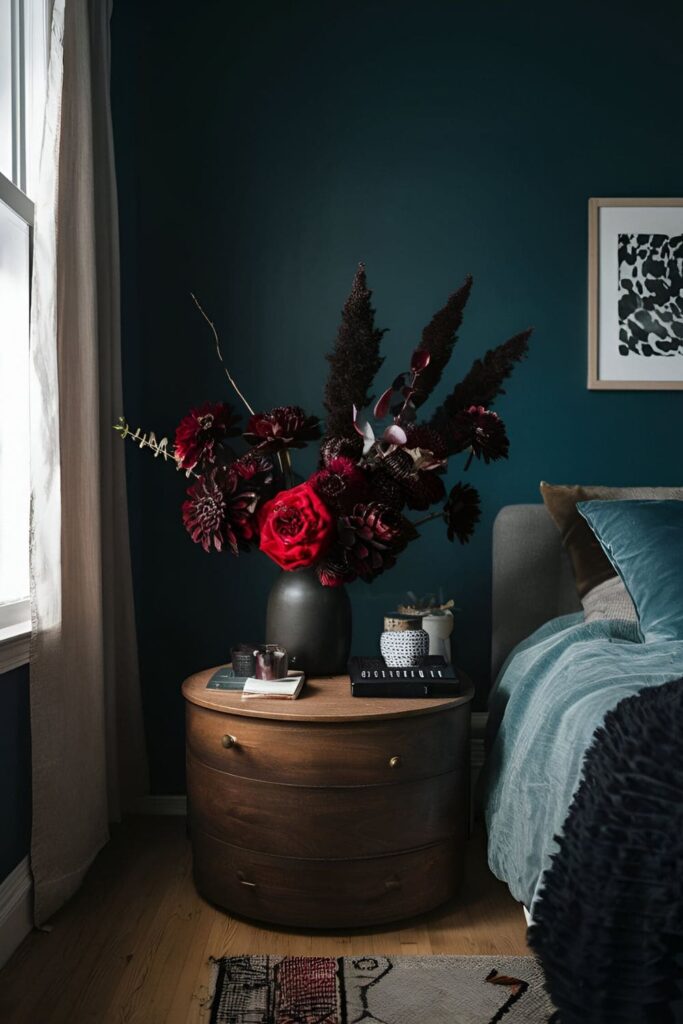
x: 296, y: 528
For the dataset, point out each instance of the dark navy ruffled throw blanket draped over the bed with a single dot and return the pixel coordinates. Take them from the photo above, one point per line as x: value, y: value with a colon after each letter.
x: 609, y: 922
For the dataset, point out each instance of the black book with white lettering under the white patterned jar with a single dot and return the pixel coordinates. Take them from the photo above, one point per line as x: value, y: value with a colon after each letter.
x: 434, y: 677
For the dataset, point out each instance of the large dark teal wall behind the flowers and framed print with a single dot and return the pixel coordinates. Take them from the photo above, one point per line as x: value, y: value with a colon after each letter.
x: 266, y: 148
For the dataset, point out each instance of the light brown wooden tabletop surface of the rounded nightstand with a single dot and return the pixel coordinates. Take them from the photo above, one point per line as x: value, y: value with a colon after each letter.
x: 323, y: 700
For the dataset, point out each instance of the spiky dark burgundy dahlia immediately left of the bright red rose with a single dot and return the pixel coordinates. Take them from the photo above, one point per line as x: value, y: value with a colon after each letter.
x: 219, y: 514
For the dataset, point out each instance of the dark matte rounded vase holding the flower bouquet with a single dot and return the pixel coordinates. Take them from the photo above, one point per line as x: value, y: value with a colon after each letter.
x: 313, y: 622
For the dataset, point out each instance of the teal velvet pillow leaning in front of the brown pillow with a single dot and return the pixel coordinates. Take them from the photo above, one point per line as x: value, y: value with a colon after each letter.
x: 644, y: 540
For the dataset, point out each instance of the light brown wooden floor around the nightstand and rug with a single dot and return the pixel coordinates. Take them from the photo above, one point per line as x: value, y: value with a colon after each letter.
x: 135, y: 945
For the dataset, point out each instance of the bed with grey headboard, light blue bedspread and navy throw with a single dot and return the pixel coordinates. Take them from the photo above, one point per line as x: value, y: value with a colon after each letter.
x: 574, y: 708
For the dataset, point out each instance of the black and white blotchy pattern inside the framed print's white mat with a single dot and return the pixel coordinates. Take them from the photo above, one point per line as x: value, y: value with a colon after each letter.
x: 651, y: 295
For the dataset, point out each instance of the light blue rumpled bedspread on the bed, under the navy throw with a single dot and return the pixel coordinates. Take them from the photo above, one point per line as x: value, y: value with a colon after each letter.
x: 552, y: 695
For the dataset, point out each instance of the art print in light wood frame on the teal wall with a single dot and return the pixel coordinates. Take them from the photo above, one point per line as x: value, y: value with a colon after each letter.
x: 635, y: 294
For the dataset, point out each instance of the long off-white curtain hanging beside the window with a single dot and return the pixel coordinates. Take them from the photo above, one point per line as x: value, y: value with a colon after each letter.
x: 88, y: 742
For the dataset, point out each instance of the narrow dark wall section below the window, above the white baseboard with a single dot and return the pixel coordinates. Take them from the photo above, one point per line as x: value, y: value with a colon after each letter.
x: 15, y: 769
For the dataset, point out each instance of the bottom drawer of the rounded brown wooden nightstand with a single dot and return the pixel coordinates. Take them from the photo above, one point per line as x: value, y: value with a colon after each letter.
x: 326, y: 893
